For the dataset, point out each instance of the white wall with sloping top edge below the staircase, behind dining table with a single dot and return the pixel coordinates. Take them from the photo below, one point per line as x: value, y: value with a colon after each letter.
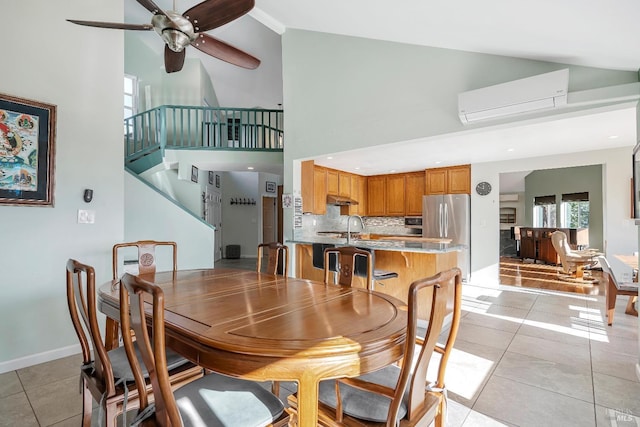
x: 151, y: 216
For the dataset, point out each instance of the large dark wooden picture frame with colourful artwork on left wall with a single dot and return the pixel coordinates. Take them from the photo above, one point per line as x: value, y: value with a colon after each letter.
x: 27, y: 151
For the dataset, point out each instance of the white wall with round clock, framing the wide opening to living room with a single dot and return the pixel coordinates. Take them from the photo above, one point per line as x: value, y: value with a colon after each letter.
x: 619, y: 230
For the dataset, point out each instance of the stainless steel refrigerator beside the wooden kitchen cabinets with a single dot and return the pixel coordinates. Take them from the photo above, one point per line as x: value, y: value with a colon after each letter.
x: 448, y: 216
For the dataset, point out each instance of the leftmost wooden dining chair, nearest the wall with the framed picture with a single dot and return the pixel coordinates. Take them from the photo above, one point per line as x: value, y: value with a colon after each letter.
x: 105, y: 374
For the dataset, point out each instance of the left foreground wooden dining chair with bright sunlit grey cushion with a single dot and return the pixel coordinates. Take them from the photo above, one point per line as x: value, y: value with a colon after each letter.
x: 213, y: 400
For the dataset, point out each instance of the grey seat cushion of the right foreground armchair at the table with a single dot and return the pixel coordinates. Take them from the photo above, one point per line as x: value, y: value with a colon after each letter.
x: 363, y: 404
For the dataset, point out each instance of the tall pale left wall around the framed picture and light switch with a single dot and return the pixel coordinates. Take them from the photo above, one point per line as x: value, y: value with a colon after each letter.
x: 80, y: 70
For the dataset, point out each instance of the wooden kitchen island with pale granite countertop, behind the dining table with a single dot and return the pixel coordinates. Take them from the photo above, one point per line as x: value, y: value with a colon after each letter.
x: 411, y: 259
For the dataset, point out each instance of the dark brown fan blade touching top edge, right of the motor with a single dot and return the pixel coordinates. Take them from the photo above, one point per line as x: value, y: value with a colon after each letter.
x: 212, y: 14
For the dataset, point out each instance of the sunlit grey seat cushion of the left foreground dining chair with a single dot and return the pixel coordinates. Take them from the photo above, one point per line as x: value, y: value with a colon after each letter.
x: 219, y: 400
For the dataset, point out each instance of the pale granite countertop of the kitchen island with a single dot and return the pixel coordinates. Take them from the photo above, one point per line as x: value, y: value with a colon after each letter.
x: 381, y: 244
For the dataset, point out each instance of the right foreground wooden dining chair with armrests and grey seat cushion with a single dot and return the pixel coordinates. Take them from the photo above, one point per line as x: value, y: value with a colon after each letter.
x: 401, y: 395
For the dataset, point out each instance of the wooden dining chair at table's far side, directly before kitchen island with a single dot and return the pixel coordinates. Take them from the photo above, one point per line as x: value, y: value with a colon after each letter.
x: 345, y: 265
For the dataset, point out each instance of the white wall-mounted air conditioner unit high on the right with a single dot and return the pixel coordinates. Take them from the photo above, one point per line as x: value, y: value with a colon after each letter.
x: 544, y: 91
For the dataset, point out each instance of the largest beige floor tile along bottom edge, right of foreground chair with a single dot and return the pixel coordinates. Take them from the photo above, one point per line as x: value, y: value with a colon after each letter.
x: 528, y: 406
